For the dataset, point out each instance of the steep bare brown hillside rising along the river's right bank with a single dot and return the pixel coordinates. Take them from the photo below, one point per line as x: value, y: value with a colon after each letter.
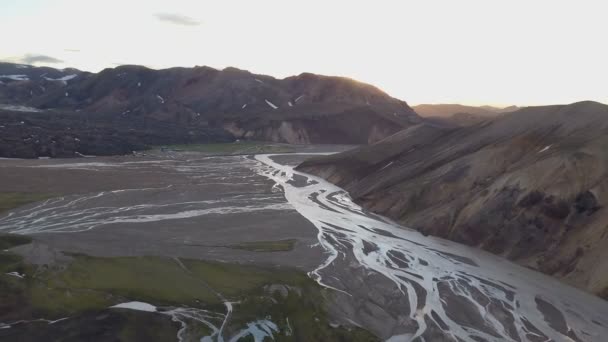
x: 530, y: 185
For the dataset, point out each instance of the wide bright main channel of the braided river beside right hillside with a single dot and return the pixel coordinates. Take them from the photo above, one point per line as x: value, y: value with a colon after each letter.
x: 469, y: 294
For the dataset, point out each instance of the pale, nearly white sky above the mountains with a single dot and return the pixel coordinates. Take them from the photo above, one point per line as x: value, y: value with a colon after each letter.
x: 475, y: 52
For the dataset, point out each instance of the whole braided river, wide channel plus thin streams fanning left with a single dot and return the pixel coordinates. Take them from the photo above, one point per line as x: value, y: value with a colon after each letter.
x: 438, y: 287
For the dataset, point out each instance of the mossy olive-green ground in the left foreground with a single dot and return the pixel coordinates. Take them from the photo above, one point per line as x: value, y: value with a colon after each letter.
x: 287, y: 297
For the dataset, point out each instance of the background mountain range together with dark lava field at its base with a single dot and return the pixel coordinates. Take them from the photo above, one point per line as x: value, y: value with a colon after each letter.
x: 63, y: 113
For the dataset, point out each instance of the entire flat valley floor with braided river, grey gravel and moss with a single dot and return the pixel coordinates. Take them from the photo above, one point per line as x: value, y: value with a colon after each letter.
x: 219, y: 247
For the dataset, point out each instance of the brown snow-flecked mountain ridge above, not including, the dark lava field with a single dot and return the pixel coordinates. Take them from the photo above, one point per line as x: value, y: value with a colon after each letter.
x: 207, y: 102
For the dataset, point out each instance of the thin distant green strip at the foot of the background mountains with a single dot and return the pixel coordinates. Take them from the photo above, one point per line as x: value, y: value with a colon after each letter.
x: 235, y: 148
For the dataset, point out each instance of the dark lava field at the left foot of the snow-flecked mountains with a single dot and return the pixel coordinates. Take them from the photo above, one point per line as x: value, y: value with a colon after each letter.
x: 68, y: 134
